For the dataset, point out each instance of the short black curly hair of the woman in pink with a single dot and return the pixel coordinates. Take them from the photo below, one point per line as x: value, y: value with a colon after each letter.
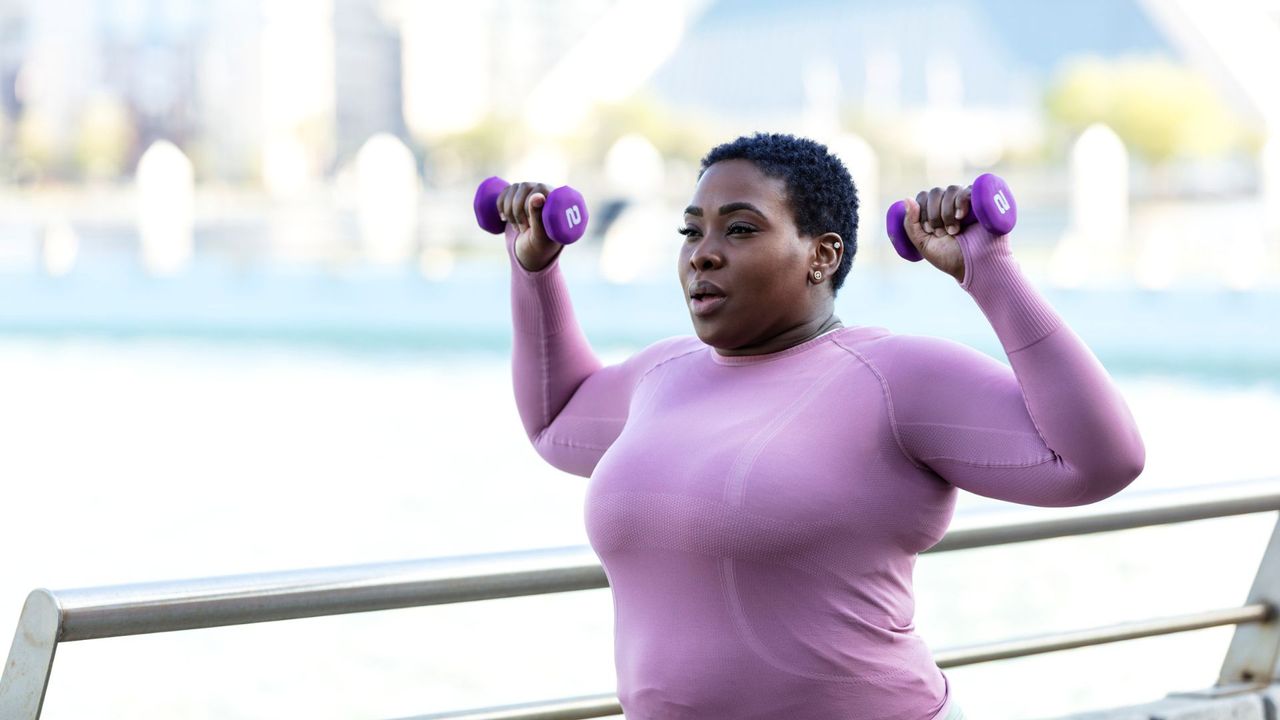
x: 820, y: 189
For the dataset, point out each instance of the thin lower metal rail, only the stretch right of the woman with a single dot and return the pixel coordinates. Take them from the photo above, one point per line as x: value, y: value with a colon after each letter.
x: 1025, y: 648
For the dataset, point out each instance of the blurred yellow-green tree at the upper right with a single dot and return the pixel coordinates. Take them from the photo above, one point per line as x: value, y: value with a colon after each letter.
x: 1160, y: 110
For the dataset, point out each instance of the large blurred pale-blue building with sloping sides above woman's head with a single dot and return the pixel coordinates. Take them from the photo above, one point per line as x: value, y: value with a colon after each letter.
x: 889, y: 54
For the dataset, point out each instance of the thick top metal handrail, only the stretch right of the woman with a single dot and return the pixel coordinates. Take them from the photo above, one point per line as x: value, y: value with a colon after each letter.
x: 1182, y: 505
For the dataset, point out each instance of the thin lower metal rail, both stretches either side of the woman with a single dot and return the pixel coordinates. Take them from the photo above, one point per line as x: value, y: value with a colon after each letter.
x: 607, y: 705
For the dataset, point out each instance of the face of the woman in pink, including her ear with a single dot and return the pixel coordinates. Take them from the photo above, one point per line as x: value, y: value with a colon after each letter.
x: 743, y: 266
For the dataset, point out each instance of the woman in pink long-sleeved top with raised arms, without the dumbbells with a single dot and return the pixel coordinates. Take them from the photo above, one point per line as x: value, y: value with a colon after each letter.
x: 760, y: 493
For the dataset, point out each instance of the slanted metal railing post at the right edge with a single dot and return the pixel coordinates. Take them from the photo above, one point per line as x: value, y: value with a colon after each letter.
x: 1254, y: 651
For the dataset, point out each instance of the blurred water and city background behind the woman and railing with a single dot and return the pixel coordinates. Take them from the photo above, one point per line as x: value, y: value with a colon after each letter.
x: 248, y: 323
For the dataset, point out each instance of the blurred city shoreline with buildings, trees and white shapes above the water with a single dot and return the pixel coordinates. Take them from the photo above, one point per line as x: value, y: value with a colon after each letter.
x: 354, y: 131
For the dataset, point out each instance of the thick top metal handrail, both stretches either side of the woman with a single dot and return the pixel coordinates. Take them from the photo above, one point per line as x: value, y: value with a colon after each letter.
x: 212, y: 603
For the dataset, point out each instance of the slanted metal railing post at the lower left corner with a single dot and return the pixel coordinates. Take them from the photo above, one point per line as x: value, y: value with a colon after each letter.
x: 31, y: 659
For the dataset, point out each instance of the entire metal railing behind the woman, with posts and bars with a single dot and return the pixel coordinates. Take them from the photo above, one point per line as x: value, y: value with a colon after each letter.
x: 51, y: 618
